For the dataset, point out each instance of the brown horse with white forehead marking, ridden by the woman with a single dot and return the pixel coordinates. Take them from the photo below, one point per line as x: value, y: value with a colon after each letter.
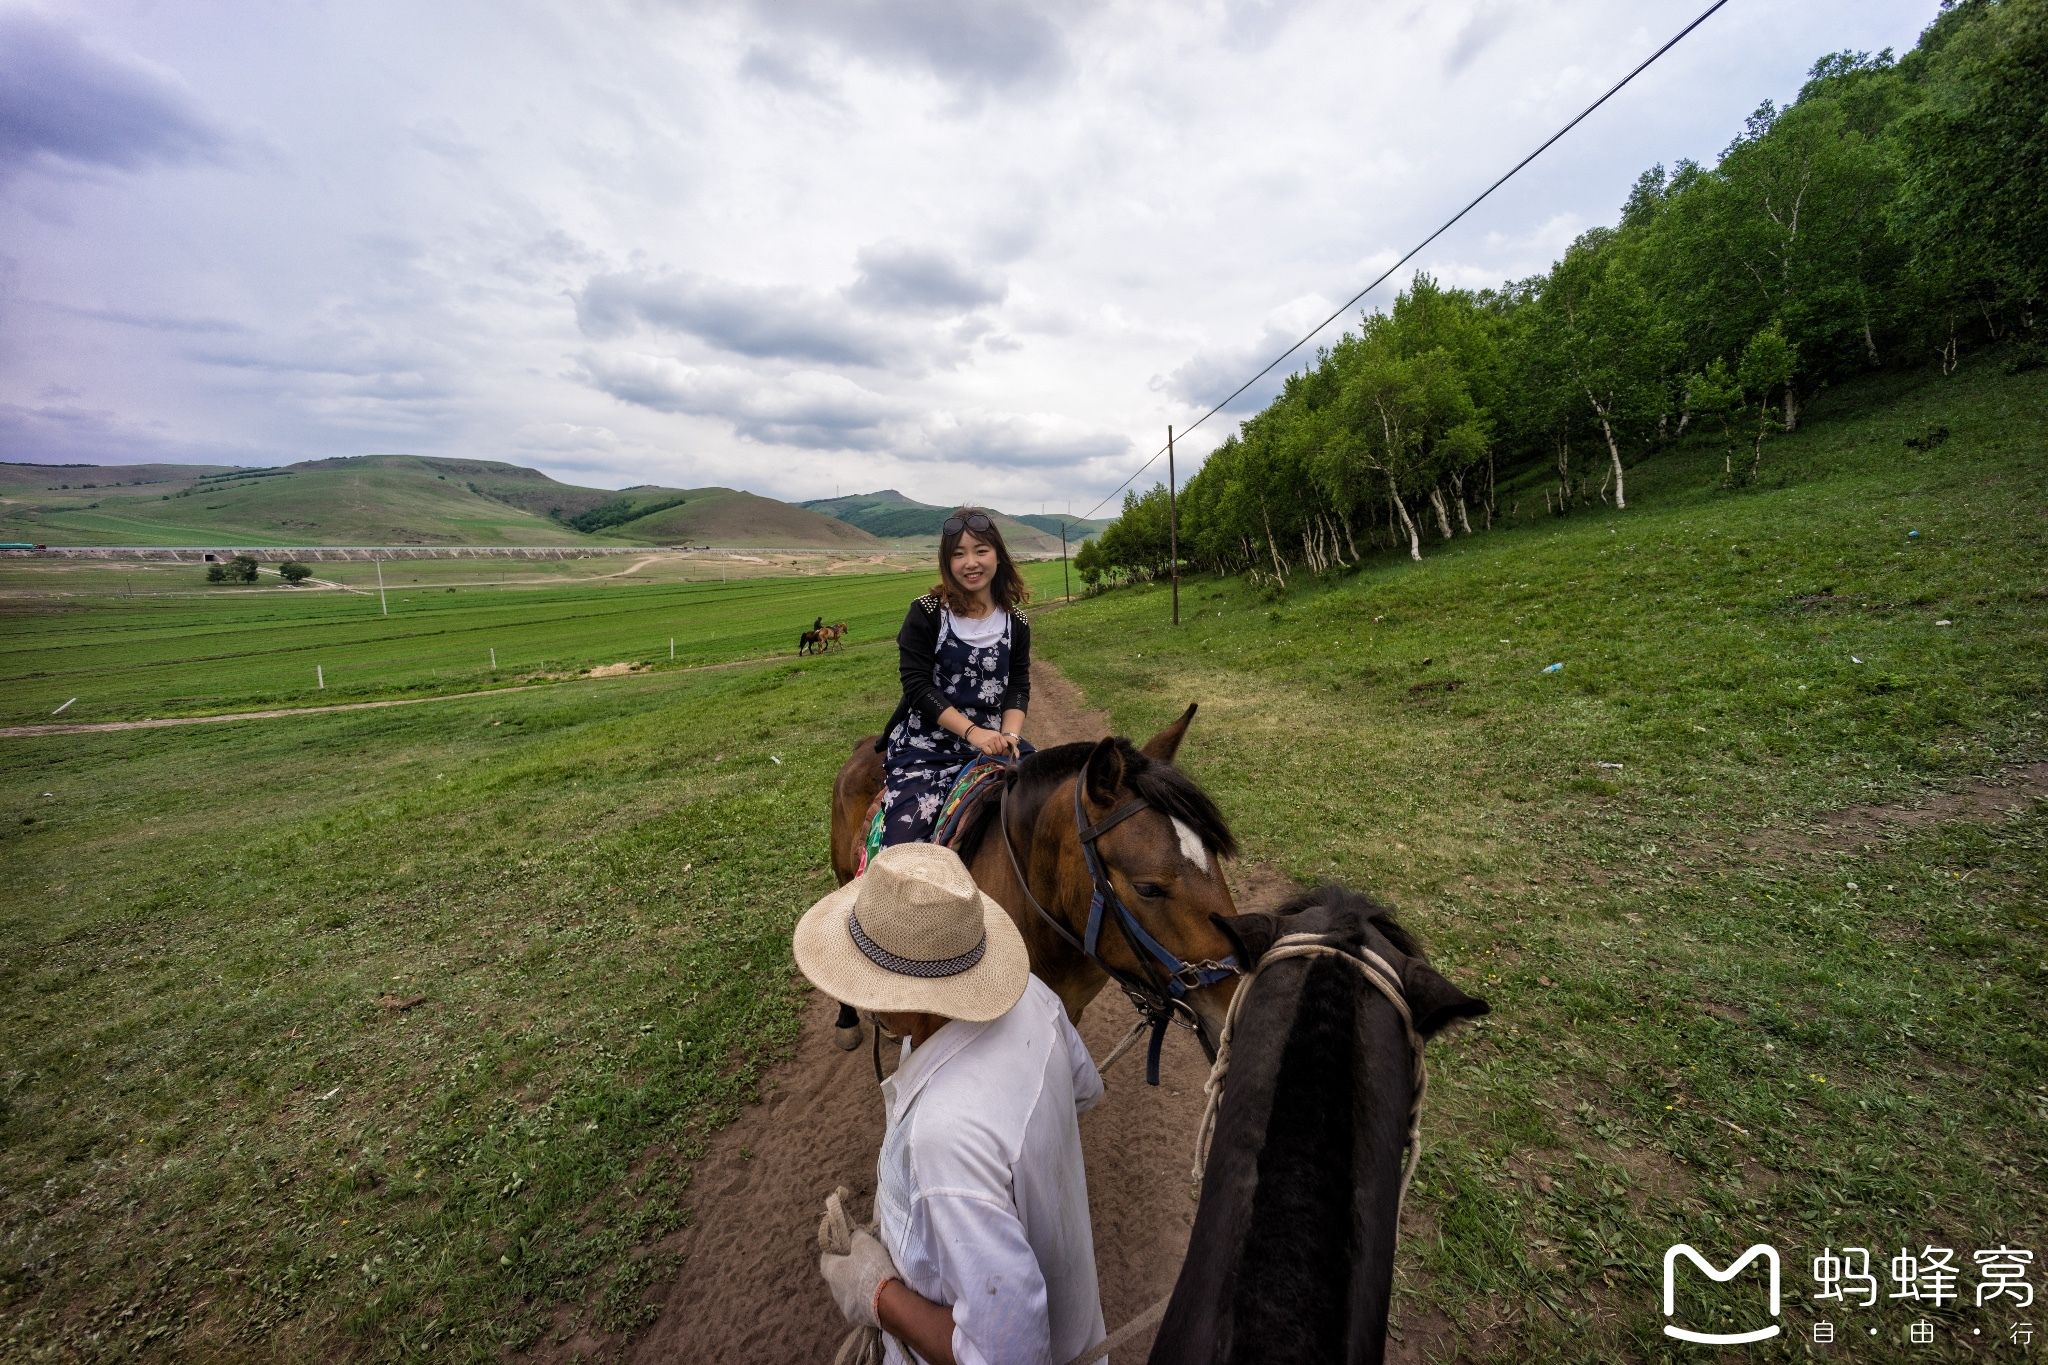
x: 1156, y: 844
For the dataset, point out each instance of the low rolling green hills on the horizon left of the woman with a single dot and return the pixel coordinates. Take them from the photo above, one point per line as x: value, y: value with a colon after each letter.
x: 388, y: 500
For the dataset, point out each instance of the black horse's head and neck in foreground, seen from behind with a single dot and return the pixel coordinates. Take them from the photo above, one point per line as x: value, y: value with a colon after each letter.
x: 1293, y: 1245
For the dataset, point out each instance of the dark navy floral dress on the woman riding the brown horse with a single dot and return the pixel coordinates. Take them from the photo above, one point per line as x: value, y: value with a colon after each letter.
x: 925, y: 758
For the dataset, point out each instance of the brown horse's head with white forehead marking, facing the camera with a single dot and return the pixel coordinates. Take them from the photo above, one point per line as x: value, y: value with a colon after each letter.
x: 1164, y: 861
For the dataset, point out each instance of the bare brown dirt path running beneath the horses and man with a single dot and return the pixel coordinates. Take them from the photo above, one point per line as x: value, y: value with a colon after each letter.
x: 749, y: 1286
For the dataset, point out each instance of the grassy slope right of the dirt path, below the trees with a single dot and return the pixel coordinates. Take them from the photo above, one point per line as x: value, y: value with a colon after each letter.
x: 1758, y: 973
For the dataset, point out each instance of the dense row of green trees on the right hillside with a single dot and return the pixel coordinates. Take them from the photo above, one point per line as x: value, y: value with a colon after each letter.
x: 1893, y: 216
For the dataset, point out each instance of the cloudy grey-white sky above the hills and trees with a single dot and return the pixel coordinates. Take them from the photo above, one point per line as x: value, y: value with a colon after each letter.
x: 966, y: 249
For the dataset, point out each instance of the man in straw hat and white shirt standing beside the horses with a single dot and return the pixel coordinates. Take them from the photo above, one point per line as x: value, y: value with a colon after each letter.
x: 986, y: 1253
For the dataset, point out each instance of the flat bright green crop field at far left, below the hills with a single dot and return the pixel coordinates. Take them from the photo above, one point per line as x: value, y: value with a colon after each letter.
x: 148, y: 656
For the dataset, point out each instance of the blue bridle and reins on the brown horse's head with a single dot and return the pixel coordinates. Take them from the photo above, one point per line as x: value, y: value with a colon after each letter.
x: 1162, y: 994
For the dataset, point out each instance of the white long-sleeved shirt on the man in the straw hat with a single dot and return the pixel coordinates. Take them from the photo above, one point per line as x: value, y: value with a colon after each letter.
x: 980, y: 1190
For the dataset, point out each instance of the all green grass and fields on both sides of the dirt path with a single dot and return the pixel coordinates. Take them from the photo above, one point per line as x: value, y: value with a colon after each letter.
x: 1725, y: 1010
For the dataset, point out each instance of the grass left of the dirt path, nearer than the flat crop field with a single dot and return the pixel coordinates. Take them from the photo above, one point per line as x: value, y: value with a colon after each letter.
x: 214, y: 1135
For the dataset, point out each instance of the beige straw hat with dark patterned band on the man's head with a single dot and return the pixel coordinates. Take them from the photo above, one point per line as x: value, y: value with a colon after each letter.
x: 914, y: 934
